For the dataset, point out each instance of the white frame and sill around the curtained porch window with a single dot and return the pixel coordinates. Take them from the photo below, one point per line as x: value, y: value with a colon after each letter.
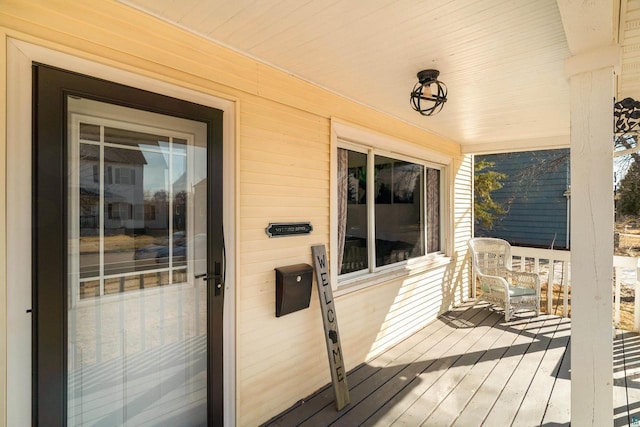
x: 354, y: 138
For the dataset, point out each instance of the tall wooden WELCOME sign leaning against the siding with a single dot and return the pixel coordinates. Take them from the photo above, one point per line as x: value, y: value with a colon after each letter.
x: 332, y: 337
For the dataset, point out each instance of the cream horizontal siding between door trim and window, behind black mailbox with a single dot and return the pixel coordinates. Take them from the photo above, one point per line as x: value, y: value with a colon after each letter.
x: 284, y: 175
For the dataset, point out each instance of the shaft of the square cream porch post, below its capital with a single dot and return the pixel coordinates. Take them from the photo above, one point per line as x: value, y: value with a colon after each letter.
x: 592, y: 95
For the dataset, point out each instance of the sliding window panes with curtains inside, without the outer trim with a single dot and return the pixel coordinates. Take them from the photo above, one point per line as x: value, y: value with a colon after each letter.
x: 388, y: 210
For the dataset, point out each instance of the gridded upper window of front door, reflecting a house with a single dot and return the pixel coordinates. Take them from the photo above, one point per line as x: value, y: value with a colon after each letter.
x: 133, y: 191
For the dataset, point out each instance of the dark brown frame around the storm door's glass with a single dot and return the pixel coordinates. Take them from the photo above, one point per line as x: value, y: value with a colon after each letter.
x: 49, y: 219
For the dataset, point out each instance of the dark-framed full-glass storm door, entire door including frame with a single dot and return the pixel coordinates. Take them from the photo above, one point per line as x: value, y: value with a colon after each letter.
x: 128, y: 311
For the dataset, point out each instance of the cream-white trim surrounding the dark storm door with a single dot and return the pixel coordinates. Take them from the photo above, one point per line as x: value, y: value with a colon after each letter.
x: 20, y: 57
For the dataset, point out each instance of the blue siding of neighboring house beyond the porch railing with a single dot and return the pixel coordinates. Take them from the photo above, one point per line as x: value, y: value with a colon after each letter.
x: 533, y: 195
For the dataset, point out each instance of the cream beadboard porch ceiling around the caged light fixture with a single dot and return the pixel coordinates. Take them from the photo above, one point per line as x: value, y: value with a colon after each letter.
x: 502, y: 60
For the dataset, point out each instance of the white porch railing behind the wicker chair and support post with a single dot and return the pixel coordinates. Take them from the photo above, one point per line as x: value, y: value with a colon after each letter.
x: 553, y: 266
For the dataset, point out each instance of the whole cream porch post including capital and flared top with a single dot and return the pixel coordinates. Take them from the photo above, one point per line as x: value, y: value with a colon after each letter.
x: 591, y: 31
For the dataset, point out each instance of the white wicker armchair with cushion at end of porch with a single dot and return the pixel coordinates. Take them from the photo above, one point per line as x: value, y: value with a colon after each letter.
x: 500, y: 285
